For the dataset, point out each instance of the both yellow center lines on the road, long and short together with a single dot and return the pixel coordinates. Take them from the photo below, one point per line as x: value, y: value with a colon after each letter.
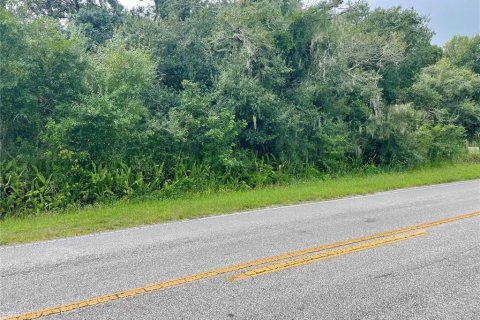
x: 292, y: 259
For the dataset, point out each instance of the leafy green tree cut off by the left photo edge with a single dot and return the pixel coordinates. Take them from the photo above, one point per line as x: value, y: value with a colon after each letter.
x: 41, y: 68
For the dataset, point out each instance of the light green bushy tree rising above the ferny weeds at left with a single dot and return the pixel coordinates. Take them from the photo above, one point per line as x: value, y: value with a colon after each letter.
x: 111, y: 119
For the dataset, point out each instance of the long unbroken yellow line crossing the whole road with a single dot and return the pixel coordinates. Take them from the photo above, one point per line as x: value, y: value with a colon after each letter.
x: 215, y: 272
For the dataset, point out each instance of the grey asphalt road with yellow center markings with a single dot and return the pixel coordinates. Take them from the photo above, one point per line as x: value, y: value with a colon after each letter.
x: 431, y: 273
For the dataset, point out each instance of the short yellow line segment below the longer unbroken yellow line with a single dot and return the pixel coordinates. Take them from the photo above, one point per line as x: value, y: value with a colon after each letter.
x: 325, y: 255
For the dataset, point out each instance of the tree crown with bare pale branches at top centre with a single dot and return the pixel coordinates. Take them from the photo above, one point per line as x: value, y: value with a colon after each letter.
x: 248, y: 35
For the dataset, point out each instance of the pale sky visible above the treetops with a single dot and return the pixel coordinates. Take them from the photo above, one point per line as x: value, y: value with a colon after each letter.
x: 447, y: 17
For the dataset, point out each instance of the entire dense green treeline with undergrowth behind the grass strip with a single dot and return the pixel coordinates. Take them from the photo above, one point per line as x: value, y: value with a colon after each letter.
x: 99, y: 103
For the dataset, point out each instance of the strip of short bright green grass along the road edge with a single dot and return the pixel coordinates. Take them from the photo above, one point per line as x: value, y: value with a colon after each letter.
x: 125, y: 214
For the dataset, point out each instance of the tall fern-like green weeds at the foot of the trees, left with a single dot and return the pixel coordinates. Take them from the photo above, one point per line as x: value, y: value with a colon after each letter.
x: 28, y: 189
